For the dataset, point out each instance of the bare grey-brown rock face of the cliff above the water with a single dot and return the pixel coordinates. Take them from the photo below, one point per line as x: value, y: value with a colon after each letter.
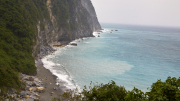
x: 69, y: 20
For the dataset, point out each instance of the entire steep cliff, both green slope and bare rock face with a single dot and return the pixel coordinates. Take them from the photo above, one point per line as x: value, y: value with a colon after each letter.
x: 29, y: 29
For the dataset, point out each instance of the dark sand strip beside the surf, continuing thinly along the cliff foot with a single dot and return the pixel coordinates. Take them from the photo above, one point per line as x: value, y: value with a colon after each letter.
x: 49, y: 79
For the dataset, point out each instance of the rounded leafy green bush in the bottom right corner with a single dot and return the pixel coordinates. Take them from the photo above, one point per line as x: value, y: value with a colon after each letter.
x: 165, y: 91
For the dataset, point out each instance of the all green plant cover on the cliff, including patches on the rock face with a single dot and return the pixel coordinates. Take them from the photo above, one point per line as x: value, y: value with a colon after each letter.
x: 18, y: 33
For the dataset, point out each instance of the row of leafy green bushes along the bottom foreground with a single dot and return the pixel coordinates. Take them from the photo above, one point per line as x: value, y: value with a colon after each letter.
x: 159, y: 91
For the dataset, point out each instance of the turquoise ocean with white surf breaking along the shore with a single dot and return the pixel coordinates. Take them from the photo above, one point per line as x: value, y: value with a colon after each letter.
x: 132, y: 56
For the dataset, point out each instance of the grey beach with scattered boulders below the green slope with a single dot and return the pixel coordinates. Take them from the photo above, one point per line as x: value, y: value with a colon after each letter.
x: 41, y: 87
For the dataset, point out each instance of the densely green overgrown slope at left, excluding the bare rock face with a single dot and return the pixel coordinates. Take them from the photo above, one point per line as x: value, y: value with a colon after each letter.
x: 18, y: 29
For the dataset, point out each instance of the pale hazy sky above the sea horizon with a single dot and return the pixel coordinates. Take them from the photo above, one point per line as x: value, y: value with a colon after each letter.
x: 139, y: 12
